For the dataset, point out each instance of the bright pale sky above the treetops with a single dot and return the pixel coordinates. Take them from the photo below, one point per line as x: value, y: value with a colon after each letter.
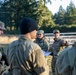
x: 54, y: 7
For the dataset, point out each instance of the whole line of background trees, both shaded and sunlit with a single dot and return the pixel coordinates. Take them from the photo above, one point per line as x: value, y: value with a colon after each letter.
x: 12, y: 12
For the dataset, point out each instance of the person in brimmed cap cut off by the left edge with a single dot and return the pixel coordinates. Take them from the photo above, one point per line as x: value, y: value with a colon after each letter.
x: 3, y: 57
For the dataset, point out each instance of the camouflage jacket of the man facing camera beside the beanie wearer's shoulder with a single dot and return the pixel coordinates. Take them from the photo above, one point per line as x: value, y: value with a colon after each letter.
x: 43, y: 43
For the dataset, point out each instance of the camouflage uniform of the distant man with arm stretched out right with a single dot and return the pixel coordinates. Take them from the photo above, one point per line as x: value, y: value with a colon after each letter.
x: 56, y: 49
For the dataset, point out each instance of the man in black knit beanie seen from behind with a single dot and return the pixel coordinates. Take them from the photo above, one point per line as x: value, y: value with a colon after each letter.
x: 25, y: 57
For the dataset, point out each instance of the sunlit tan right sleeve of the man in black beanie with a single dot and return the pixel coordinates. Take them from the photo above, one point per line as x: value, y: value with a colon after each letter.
x: 39, y: 63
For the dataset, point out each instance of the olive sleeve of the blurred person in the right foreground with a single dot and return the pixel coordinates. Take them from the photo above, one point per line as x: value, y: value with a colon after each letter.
x: 63, y: 65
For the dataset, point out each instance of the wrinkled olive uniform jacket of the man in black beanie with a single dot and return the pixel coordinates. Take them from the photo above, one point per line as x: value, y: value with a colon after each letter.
x: 25, y: 58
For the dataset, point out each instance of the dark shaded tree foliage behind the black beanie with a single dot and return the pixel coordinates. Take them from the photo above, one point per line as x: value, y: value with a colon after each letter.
x: 15, y: 10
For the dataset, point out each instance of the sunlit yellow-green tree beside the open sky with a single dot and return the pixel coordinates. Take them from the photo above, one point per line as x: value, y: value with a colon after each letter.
x: 44, y: 16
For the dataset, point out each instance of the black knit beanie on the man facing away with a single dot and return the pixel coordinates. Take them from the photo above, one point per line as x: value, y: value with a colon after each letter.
x: 27, y: 25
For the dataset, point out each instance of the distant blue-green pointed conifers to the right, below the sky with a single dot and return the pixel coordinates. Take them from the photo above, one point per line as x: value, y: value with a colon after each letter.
x: 66, y: 17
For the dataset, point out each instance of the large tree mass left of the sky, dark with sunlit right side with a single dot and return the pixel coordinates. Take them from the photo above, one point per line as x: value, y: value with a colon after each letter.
x: 15, y: 10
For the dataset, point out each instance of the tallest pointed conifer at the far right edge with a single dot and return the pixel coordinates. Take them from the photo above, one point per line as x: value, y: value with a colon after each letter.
x: 70, y: 15
